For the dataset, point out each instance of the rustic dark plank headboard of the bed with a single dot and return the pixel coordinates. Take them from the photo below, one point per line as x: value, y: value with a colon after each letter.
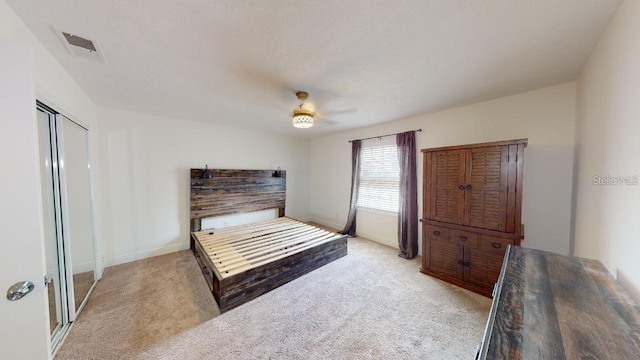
x: 235, y: 191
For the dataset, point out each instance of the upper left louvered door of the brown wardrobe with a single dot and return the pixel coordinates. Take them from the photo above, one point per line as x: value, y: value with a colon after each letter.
x: 444, y: 185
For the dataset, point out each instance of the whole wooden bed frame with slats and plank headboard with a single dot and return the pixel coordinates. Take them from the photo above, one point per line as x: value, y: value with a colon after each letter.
x: 253, y: 270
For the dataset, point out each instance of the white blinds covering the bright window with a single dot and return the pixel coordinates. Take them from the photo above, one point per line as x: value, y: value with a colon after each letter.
x: 379, y: 178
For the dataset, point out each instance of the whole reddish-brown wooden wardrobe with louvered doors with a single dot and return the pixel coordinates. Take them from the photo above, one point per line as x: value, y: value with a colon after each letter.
x: 472, y: 200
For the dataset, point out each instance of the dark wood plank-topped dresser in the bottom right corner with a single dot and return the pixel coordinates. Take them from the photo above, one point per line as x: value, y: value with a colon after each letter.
x: 549, y: 306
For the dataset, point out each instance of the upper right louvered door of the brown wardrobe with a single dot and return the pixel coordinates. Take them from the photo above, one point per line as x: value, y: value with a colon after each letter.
x: 486, y: 188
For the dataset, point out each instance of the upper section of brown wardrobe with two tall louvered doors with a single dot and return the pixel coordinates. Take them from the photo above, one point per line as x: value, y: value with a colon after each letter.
x: 491, y: 178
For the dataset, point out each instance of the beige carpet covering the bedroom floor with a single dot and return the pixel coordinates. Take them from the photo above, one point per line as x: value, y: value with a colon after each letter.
x: 370, y: 304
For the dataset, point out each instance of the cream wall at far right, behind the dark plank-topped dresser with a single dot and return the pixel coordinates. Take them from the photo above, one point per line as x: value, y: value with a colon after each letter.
x: 607, y: 133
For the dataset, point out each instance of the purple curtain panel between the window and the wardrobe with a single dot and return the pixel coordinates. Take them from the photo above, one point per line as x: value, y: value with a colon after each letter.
x: 408, y: 206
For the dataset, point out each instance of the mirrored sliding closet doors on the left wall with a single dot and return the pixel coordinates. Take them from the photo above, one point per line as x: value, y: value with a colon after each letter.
x: 68, y: 219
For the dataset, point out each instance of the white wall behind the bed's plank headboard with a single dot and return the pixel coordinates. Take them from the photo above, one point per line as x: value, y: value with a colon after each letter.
x: 145, y: 175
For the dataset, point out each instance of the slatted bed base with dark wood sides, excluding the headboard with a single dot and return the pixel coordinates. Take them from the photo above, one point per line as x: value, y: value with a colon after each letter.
x: 243, y: 262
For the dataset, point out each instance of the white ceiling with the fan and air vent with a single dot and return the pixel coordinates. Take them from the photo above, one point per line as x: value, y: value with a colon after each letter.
x: 238, y: 63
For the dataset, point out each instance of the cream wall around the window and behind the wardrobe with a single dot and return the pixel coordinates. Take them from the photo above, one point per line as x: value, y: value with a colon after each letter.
x: 546, y: 117
